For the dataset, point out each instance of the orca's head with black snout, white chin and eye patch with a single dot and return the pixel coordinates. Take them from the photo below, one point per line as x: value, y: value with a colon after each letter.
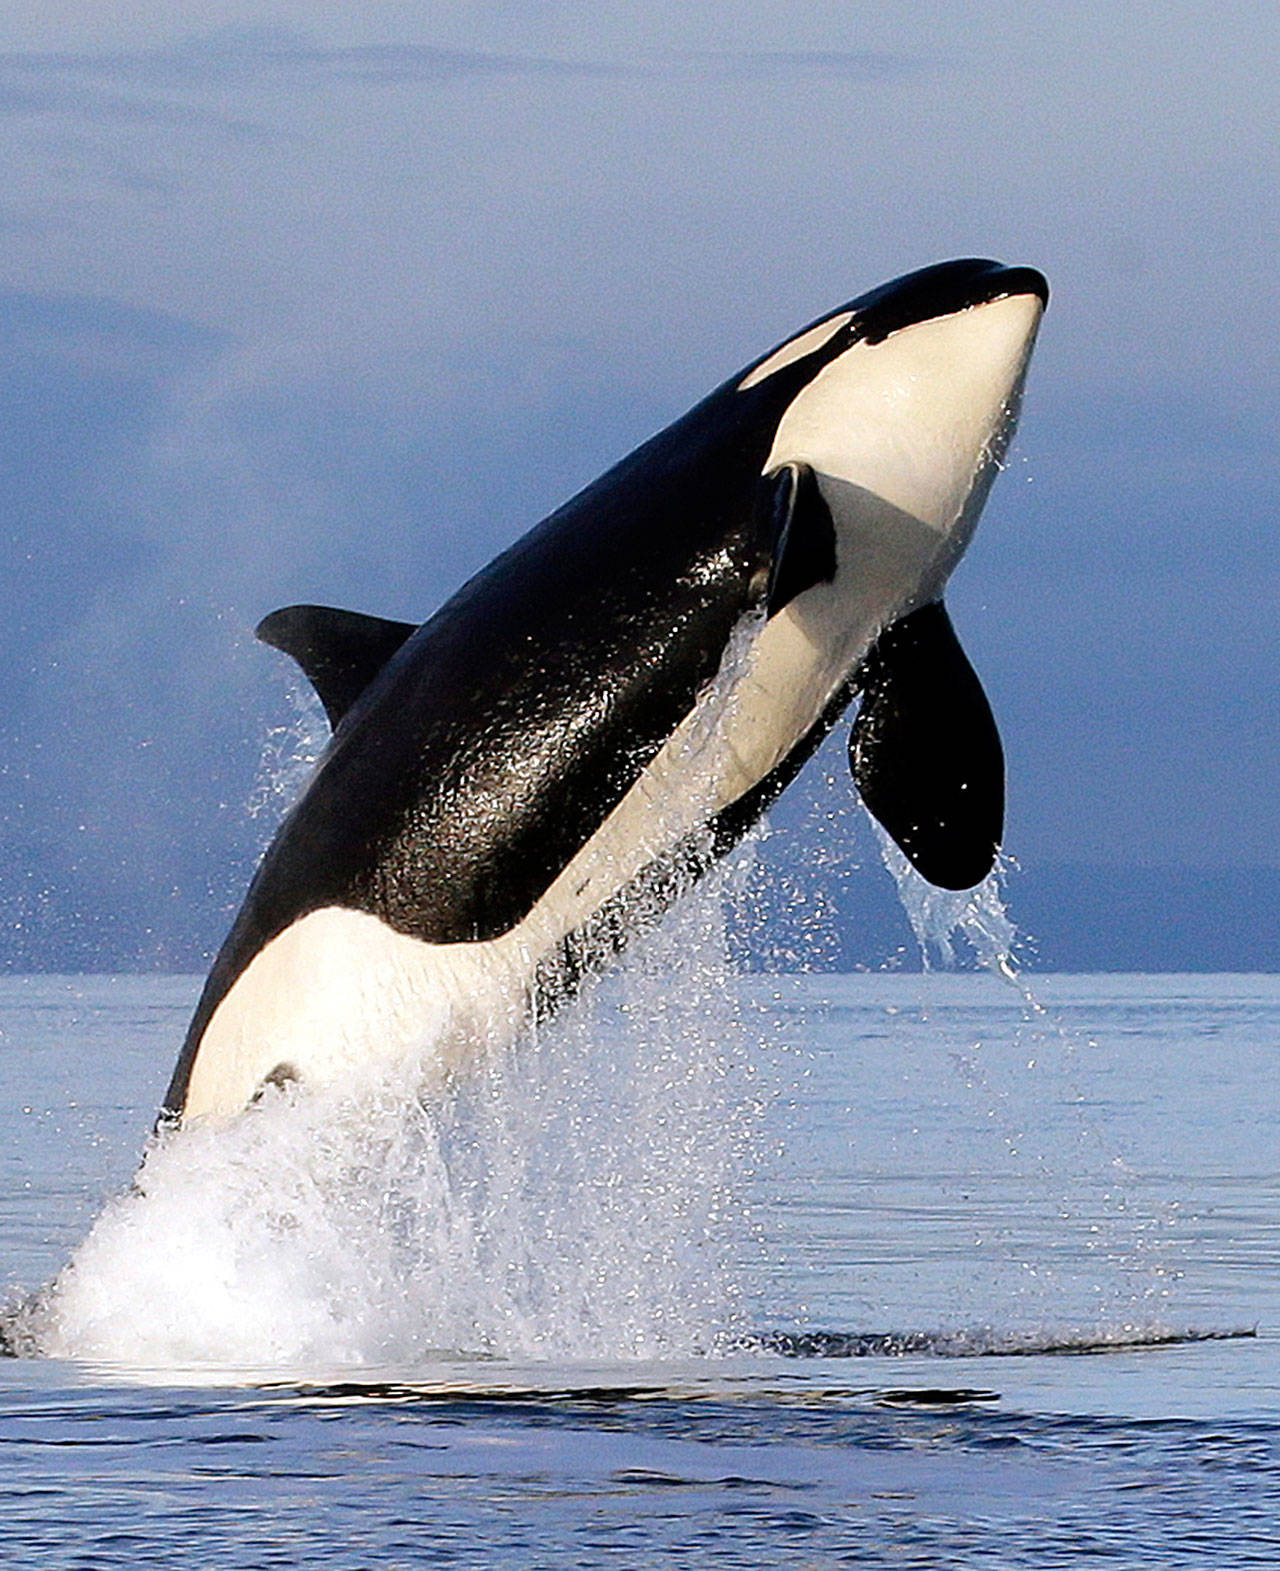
x: 904, y: 401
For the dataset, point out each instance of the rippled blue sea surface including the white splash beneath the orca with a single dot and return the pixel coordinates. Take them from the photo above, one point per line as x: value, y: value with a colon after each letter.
x: 880, y: 1270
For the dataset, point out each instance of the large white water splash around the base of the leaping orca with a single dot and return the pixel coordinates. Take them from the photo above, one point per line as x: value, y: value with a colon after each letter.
x: 574, y: 1198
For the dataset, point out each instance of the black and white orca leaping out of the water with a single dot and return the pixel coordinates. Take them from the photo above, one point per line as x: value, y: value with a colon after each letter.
x: 521, y: 782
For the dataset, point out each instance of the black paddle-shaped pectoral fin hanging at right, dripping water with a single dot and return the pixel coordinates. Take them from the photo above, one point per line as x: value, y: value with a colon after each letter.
x: 926, y: 752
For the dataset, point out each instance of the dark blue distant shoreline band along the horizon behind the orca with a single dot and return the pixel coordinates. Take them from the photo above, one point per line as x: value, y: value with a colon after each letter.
x: 1072, y: 918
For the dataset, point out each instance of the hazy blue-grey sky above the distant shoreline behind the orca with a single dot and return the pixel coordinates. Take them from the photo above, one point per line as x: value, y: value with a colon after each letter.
x: 331, y: 302
